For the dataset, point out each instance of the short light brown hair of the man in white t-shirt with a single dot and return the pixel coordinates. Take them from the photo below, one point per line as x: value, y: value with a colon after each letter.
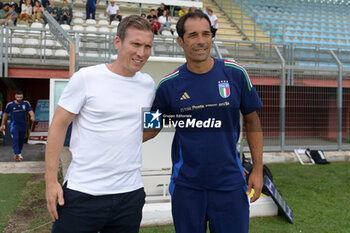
x: 134, y: 21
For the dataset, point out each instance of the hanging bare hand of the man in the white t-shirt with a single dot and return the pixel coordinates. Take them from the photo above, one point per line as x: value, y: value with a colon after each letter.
x: 53, y: 192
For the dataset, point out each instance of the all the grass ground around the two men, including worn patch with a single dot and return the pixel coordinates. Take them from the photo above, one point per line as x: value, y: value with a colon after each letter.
x: 319, y: 196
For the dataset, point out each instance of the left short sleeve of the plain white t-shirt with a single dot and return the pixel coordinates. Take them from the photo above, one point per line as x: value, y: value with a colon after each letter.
x: 74, y: 94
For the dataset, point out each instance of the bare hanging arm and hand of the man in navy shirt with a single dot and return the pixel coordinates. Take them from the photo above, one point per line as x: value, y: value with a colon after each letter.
x: 255, y: 141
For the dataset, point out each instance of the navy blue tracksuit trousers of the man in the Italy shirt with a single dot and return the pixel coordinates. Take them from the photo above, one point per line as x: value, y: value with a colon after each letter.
x: 226, y: 211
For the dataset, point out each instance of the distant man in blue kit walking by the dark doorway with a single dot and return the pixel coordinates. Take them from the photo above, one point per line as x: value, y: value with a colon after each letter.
x: 18, y: 110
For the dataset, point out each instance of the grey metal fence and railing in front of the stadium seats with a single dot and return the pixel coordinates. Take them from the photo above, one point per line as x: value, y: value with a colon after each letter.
x: 305, y: 90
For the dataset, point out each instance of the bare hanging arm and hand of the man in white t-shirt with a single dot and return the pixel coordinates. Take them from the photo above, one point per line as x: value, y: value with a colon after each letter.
x: 55, y: 140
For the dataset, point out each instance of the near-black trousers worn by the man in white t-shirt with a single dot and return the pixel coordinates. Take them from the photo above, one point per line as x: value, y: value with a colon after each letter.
x: 84, y: 213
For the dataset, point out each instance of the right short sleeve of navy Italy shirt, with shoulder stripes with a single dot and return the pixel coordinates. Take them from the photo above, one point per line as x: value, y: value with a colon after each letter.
x: 250, y: 100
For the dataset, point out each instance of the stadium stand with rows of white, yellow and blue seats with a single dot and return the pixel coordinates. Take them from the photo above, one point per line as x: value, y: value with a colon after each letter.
x: 248, y: 30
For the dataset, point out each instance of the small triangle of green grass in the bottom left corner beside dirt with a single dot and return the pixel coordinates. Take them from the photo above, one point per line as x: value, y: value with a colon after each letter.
x: 11, y: 186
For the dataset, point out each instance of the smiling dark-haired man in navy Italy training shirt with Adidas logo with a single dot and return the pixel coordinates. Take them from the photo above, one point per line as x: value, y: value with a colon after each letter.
x: 207, y: 182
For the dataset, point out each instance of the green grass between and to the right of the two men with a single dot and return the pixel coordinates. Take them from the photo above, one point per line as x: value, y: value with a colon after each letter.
x: 318, y: 195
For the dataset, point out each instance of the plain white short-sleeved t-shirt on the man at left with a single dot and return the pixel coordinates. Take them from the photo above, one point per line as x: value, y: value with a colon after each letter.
x: 106, y: 137
